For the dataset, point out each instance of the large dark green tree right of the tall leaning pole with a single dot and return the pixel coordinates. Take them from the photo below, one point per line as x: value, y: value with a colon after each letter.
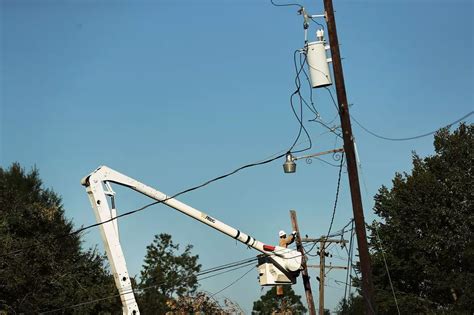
x: 427, y: 231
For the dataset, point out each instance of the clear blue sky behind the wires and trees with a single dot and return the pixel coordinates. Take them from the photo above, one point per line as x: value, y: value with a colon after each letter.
x: 177, y: 92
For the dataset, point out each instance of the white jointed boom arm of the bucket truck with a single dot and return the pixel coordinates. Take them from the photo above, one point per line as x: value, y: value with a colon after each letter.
x: 98, y: 188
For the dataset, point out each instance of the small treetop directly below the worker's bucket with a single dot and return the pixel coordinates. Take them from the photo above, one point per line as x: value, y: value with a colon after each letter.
x: 289, y: 303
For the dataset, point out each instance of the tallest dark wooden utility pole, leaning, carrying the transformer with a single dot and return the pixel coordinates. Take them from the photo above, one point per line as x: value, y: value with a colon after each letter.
x: 364, y: 258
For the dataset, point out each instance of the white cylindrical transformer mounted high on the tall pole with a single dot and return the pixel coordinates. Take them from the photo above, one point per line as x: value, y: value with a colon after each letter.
x: 318, y: 64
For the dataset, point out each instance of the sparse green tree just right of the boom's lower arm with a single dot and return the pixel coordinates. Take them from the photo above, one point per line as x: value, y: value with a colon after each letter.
x: 167, y: 275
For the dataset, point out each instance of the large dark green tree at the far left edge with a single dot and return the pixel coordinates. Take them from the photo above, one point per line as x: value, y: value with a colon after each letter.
x: 40, y: 268
